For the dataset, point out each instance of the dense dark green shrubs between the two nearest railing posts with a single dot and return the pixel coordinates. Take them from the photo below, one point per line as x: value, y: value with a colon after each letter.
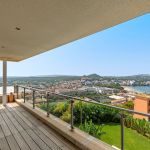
x: 98, y: 114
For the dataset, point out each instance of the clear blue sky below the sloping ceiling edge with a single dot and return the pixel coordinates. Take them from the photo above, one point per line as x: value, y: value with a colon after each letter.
x: 118, y: 51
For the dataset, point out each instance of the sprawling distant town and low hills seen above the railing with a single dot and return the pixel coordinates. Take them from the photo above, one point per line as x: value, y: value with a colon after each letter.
x: 92, y: 88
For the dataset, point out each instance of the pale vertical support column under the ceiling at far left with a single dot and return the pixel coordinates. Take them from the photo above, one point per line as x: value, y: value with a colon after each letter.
x: 4, y: 82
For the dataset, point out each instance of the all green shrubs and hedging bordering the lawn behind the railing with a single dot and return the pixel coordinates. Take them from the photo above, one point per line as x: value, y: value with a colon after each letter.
x: 85, y: 112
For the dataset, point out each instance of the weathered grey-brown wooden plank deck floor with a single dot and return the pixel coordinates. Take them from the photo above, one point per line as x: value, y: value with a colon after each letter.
x: 20, y: 130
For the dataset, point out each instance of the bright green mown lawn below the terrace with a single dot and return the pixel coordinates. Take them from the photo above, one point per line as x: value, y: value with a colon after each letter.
x: 133, y: 140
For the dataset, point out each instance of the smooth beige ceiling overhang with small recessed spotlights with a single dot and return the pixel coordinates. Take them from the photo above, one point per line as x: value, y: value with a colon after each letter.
x: 31, y: 27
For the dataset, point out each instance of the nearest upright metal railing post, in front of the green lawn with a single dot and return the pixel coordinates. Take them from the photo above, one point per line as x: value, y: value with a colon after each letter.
x: 122, y: 131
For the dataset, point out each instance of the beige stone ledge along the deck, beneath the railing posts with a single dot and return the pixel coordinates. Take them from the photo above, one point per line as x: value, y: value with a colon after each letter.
x: 77, y: 137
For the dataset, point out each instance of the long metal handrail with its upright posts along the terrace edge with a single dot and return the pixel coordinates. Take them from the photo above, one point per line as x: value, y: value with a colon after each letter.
x: 72, y: 99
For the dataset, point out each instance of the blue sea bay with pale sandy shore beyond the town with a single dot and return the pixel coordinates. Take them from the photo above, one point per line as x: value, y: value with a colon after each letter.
x: 139, y: 89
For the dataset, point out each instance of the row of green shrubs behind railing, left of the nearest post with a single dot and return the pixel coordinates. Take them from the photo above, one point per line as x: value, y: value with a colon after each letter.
x: 83, y: 111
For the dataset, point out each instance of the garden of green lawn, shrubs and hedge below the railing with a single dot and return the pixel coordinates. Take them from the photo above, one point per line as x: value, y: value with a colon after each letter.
x: 104, y: 123
